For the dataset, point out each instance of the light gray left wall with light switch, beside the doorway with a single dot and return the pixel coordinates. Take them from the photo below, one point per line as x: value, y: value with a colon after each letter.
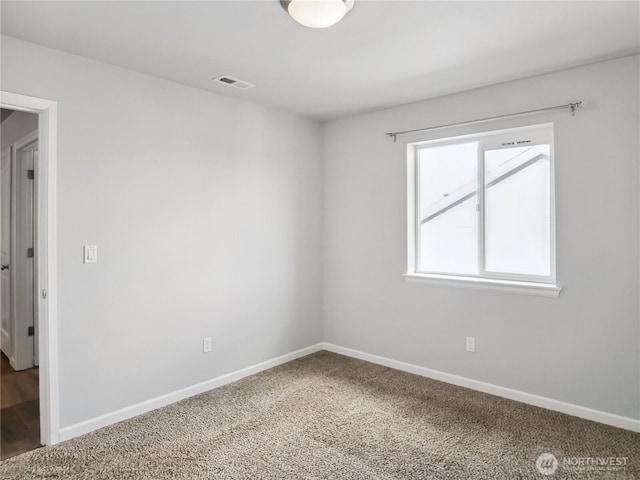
x: 207, y: 216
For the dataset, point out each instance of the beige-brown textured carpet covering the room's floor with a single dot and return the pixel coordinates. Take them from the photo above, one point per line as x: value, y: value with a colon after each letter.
x: 326, y: 416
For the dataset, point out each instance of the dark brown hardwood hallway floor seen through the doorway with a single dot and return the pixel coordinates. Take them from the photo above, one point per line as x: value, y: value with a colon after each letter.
x: 19, y: 410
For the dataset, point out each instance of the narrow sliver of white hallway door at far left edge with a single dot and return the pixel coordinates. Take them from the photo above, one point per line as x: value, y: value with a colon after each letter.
x: 5, y: 246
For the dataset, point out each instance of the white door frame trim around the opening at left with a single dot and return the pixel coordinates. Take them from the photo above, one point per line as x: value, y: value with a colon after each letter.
x: 47, y: 305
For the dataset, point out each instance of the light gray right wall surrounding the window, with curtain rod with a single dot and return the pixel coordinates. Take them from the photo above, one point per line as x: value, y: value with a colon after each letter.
x: 580, y: 348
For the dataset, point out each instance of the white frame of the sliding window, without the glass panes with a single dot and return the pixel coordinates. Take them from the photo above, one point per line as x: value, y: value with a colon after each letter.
x: 490, y: 140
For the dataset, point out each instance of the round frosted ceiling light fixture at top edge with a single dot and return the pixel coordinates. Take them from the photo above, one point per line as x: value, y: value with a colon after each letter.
x: 317, y: 13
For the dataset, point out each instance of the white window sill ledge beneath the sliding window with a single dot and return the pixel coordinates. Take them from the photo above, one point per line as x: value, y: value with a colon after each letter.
x: 526, y: 288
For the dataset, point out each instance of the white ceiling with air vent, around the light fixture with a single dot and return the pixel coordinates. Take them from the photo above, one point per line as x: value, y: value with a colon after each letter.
x: 383, y: 53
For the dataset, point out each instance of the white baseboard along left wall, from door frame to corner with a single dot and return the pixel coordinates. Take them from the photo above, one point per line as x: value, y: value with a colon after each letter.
x: 87, y: 426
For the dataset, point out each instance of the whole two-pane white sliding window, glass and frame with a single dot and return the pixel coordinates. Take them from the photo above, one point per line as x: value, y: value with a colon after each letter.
x: 481, y: 208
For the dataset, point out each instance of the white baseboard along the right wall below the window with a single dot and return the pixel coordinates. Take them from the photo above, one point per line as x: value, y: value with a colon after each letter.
x: 531, y: 399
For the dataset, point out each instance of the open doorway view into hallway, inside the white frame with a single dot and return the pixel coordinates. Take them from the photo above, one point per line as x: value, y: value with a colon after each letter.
x: 19, y: 373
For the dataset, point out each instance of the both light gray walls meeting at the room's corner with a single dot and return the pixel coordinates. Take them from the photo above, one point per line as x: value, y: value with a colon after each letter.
x: 208, y: 214
